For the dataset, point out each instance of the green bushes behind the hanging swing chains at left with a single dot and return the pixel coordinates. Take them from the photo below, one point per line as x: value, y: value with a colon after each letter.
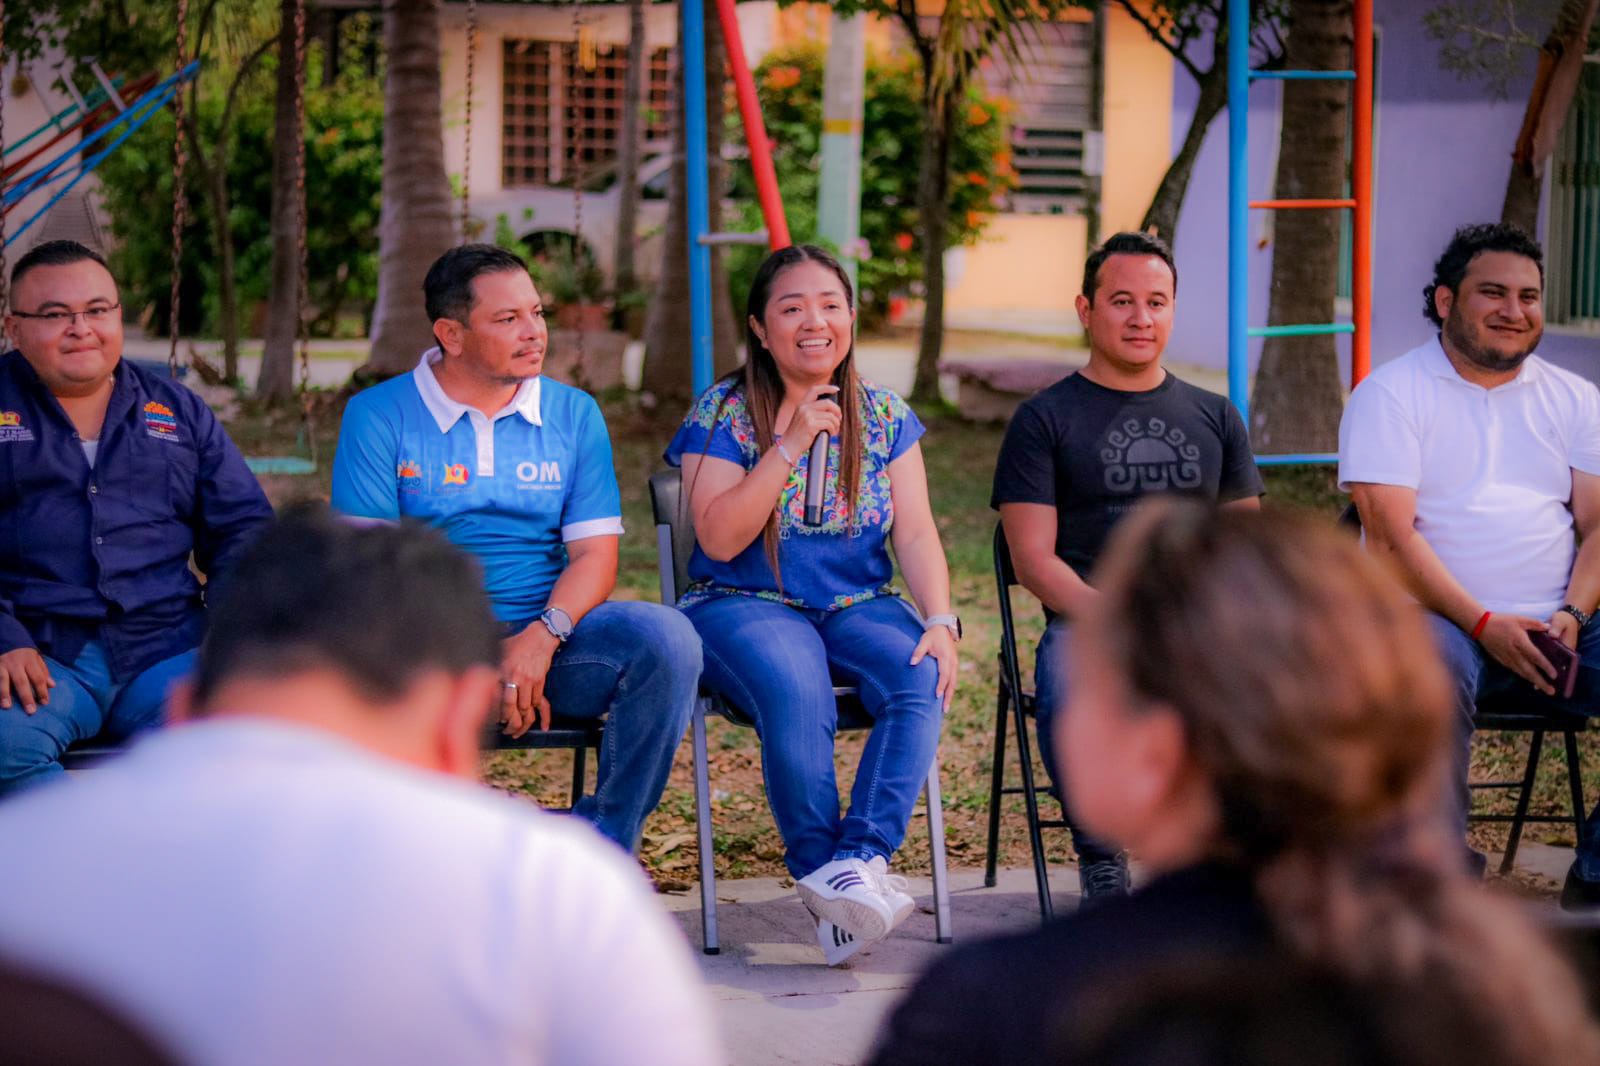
x: 343, y: 177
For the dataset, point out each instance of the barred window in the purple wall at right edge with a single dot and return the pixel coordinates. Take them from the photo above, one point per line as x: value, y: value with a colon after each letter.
x: 1572, y: 279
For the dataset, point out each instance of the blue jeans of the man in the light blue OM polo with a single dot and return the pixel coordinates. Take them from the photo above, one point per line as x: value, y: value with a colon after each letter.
x: 638, y: 665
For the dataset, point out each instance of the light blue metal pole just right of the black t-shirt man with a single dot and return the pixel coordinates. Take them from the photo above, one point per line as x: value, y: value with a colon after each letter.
x: 1239, y: 206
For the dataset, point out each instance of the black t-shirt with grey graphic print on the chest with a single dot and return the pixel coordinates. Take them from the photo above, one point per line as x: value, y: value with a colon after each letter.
x: 1094, y: 454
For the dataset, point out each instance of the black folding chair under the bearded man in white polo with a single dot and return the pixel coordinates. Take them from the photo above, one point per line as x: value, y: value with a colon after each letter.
x: 1522, y: 713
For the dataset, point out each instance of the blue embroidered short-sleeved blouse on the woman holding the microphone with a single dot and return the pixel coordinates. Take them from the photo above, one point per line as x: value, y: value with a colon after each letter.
x: 825, y: 567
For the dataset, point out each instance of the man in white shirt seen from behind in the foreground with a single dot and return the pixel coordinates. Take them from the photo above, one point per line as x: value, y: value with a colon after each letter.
x: 302, y: 870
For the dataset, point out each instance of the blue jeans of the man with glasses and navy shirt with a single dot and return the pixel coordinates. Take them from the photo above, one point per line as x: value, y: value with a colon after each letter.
x: 84, y: 705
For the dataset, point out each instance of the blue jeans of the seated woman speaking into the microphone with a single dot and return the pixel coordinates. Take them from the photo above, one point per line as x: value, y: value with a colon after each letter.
x: 778, y: 667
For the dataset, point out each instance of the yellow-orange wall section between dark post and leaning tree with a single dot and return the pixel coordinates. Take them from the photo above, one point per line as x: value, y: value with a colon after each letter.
x: 1138, y: 121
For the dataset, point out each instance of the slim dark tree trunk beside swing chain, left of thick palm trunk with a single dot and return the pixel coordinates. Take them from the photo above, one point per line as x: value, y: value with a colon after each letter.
x: 276, y: 383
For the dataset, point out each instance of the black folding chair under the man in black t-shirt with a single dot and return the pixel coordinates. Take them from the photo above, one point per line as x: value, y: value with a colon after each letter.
x: 1020, y: 702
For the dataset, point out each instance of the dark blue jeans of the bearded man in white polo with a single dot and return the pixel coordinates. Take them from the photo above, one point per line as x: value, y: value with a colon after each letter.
x: 1476, y: 676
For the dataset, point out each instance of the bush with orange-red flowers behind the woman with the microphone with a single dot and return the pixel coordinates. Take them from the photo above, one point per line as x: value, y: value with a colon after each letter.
x: 791, y: 89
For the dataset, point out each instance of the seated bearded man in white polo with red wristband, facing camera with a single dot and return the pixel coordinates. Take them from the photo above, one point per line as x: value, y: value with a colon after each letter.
x: 1476, y: 468
